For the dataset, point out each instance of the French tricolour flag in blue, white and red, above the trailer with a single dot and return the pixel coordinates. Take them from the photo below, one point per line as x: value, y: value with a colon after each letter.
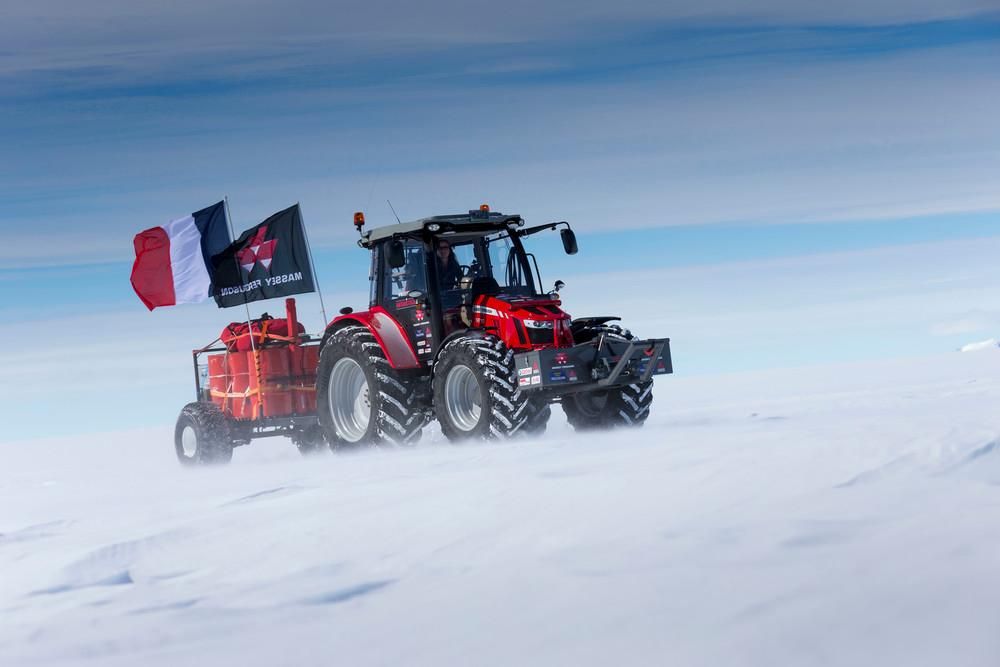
x: 173, y: 263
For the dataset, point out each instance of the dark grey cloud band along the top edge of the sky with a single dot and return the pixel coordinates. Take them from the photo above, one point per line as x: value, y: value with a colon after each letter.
x: 63, y: 36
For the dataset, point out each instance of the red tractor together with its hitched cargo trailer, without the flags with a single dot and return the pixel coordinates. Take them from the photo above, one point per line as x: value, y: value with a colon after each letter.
x: 458, y: 328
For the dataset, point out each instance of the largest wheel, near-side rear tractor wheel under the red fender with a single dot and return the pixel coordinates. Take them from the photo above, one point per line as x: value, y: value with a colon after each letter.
x: 360, y: 398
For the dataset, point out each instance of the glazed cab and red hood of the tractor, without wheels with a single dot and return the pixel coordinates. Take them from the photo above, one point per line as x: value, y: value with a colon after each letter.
x: 443, y: 275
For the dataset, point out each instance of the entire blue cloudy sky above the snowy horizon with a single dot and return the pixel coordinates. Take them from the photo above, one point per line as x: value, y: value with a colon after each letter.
x: 735, y: 151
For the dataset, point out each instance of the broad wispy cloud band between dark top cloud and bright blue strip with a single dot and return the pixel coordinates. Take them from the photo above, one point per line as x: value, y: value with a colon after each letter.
x: 783, y: 143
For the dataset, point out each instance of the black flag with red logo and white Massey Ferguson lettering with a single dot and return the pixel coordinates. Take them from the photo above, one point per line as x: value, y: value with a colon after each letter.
x: 268, y: 261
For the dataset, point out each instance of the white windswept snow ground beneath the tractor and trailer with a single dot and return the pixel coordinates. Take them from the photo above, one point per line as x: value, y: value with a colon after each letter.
x: 839, y: 515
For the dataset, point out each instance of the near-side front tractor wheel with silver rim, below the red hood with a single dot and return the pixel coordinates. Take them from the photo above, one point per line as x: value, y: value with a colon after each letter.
x: 475, y: 390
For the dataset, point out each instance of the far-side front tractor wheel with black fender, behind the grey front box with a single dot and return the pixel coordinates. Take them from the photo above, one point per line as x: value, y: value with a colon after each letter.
x: 619, y: 406
